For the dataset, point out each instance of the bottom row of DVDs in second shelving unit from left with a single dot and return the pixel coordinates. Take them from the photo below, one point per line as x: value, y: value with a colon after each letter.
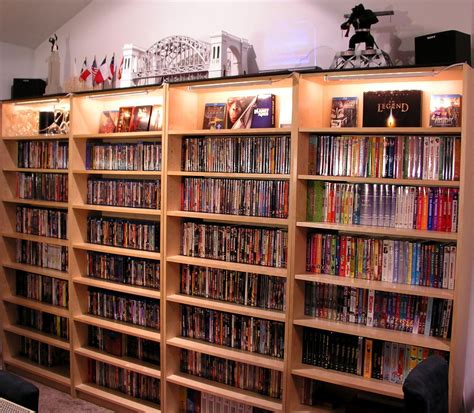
x: 125, y: 381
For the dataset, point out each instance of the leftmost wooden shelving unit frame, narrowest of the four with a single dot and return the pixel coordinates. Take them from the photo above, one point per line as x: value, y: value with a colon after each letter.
x: 12, y: 331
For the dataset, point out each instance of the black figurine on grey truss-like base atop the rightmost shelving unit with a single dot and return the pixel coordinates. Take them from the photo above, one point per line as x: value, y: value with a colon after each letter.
x: 361, y: 18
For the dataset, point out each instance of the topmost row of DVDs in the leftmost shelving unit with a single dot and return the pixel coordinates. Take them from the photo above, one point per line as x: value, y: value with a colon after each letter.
x: 43, y: 154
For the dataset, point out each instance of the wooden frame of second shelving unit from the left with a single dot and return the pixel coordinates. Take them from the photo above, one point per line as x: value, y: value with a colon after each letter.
x: 86, y: 112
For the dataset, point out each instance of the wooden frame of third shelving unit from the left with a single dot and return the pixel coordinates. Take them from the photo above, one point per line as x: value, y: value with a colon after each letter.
x: 187, y: 122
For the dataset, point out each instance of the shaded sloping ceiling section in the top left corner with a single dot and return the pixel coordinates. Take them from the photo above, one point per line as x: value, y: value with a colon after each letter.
x: 30, y: 22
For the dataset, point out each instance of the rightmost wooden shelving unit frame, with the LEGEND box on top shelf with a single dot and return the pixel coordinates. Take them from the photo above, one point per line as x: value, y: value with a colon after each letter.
x: 316, y: 93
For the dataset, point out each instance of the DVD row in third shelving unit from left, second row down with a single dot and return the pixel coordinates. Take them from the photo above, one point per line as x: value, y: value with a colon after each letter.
x: 248, y: 197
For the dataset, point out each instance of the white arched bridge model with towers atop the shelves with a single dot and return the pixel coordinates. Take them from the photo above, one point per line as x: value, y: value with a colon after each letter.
x: 177, y: 58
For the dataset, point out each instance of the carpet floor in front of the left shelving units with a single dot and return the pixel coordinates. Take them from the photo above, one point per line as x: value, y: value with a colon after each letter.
x: 55, y: 401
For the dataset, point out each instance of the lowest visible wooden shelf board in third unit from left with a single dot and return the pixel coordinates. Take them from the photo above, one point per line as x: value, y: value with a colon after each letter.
x: 223, y: 390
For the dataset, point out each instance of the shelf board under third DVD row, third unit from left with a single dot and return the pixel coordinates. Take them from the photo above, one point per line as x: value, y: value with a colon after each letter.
x: 225, y: 265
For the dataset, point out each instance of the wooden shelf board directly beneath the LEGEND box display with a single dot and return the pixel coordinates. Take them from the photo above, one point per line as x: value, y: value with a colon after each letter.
x: 384, y: 131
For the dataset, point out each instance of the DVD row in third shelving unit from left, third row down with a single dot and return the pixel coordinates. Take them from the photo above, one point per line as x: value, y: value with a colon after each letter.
x: 231, y: 243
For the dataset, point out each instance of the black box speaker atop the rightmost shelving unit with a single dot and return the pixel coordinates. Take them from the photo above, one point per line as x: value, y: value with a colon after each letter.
x: 443, y: 48
